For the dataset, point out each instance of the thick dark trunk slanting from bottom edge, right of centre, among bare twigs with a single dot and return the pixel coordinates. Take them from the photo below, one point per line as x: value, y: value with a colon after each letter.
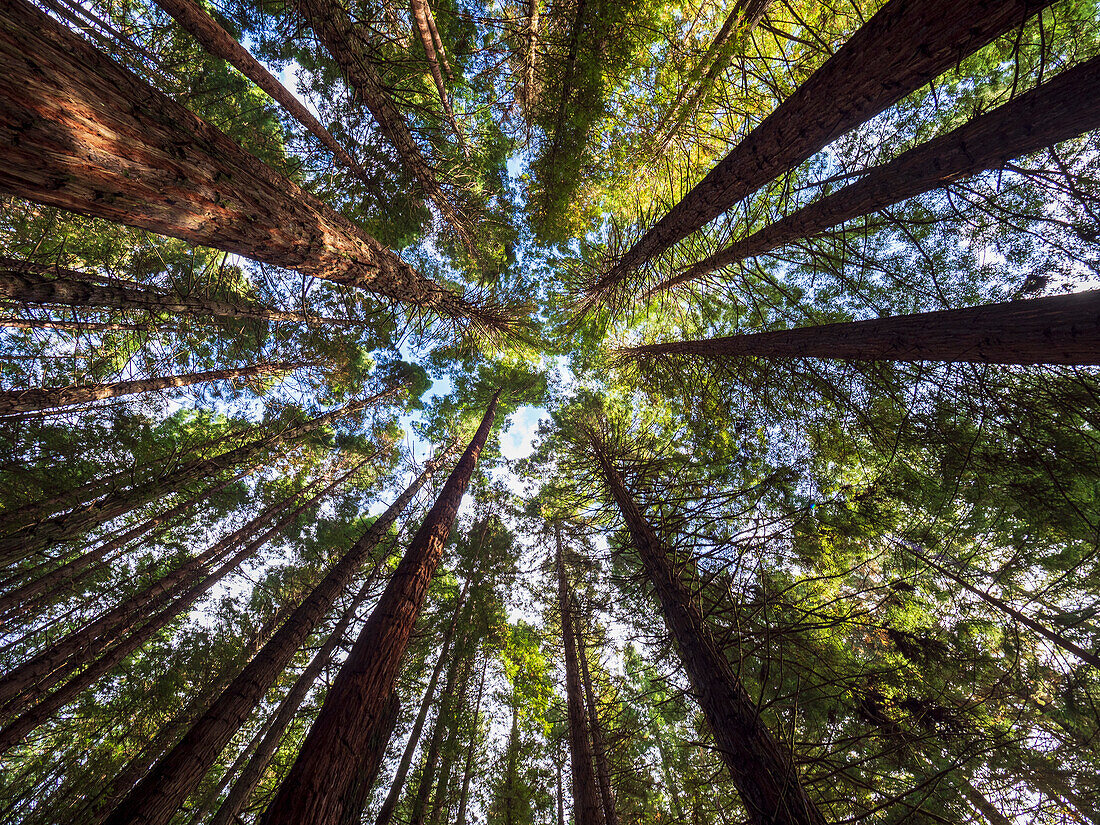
x: 762, y: 768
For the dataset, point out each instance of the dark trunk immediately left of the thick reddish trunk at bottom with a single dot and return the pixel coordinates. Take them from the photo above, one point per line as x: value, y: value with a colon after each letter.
x: 175, y: 777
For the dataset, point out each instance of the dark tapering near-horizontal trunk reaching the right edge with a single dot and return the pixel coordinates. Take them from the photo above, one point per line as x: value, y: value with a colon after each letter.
x: 1062, y: 329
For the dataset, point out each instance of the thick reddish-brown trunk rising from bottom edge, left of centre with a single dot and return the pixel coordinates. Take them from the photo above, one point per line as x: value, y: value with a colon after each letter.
x: 314, y: 793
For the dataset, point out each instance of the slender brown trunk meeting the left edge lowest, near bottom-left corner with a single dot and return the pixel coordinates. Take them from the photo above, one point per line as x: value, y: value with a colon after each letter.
x: 135, y: 640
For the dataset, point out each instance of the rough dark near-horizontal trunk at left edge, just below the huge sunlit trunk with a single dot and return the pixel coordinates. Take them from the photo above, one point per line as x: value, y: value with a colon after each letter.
x: 30, y: 283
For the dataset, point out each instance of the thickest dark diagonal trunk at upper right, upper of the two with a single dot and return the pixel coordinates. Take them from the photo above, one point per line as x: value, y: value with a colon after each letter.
x: 898, y: 51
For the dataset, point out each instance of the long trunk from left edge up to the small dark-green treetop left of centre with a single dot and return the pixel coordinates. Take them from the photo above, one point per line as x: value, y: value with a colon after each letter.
x: 32, y: 540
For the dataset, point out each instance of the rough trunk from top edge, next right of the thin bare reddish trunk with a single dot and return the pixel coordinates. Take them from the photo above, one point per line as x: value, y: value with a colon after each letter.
x: 335, y: 29
